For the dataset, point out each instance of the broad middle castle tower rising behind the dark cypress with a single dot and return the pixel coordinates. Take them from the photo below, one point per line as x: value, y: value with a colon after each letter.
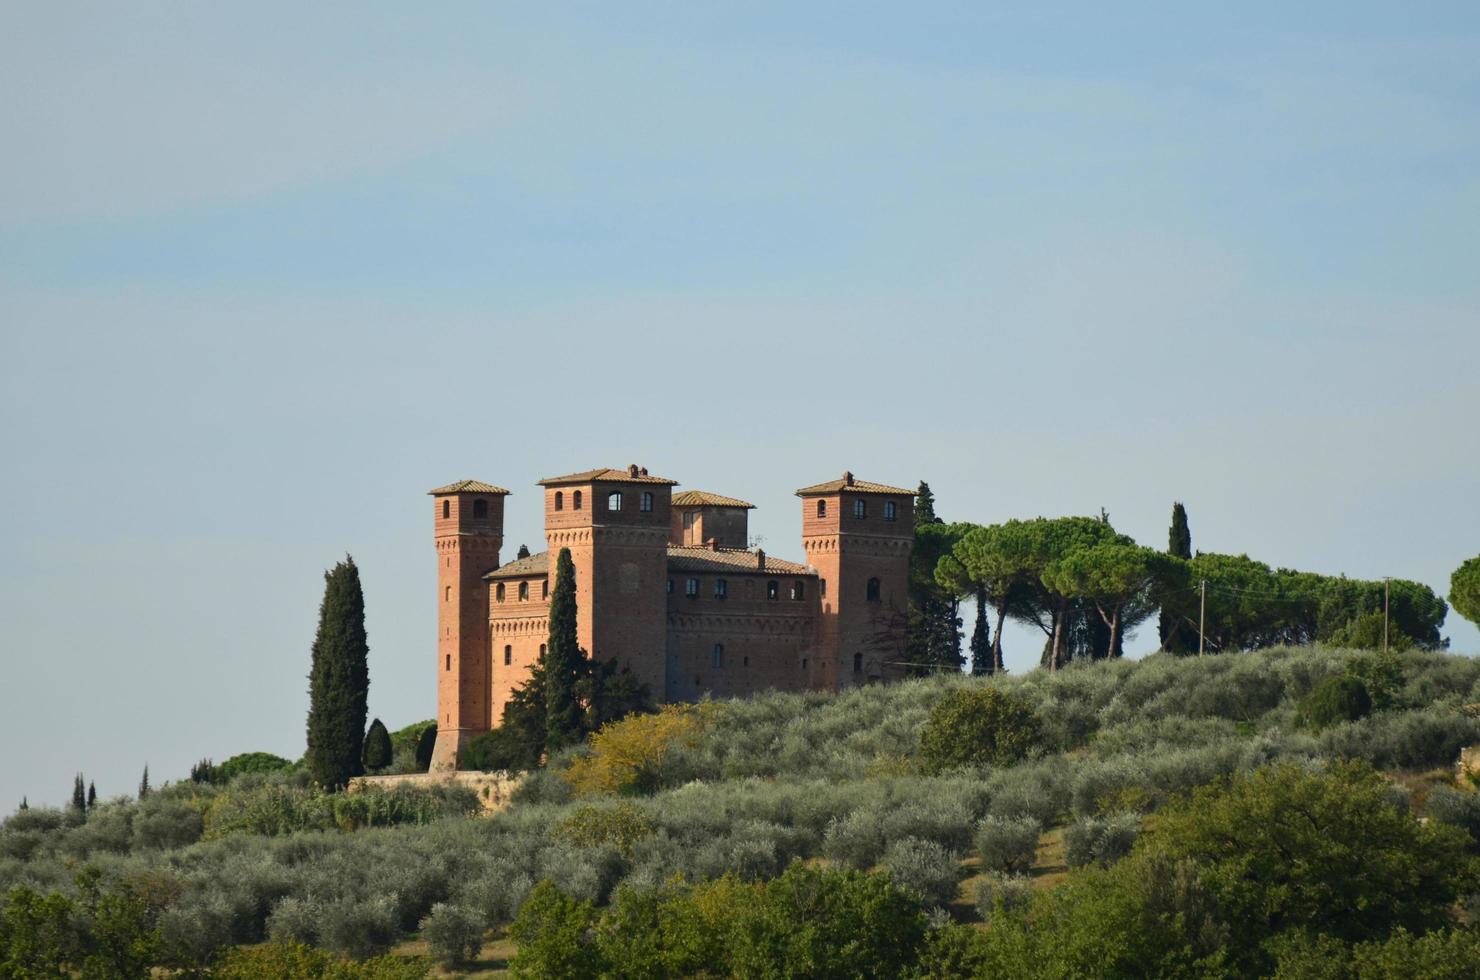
x: 616, y: 525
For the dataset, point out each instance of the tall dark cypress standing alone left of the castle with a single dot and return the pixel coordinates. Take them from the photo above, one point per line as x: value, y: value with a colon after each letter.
x: 340, y: 680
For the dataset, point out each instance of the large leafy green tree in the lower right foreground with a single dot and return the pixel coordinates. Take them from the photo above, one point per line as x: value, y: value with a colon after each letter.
x: 1281, y: 849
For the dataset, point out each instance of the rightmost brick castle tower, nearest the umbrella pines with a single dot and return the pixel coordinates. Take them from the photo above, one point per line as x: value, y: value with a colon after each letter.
x: 859, y: 537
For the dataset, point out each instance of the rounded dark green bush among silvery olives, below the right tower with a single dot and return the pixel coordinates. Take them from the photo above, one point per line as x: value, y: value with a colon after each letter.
x: 976, y: 728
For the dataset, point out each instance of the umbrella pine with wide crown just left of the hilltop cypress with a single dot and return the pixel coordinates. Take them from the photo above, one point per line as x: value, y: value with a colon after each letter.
x: 1121, y: 581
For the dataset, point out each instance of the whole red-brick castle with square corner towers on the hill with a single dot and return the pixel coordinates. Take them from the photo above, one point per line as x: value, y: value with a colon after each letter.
x: 668, y: 585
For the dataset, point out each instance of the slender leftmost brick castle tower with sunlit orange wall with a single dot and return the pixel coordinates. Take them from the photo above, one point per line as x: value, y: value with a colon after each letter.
x: 468, y: 525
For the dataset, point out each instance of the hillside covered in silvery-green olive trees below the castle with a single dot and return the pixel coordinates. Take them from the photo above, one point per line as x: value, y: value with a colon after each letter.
x: 747, y: 788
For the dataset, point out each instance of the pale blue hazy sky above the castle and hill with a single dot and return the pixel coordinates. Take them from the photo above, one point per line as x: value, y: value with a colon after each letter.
x: 270, y: 273
